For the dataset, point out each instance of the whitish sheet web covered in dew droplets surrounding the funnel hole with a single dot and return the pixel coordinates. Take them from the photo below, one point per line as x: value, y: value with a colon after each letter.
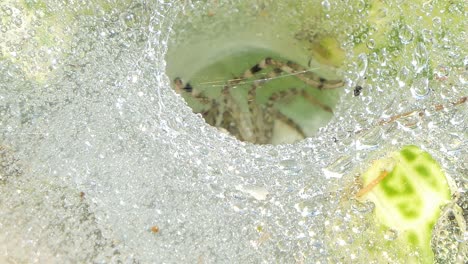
x: 101, y: 161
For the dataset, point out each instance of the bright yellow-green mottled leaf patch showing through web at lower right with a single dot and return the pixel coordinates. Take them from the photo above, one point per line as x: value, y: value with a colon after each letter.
x: 408, y: 189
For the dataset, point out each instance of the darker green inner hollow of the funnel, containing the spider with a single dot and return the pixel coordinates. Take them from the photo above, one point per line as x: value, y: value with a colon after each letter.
x: 258, y: 96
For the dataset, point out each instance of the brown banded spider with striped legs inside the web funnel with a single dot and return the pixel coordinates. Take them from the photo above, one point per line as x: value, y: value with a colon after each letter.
x: 251, y: 120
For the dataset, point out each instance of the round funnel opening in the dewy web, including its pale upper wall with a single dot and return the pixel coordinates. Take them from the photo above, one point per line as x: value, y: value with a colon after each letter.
x: 262, y: 79
